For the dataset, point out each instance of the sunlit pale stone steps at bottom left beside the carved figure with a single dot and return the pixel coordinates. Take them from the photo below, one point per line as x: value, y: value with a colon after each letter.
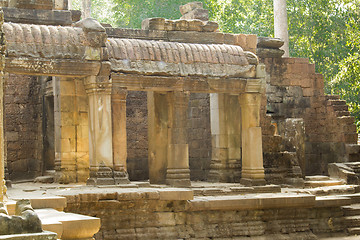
x: 65, y: 225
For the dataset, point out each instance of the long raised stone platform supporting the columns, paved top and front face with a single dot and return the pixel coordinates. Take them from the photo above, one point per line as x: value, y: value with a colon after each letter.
x: 204, y: 211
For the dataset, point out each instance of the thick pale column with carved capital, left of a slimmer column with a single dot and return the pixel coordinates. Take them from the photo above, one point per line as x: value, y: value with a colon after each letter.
x: 98, y: 89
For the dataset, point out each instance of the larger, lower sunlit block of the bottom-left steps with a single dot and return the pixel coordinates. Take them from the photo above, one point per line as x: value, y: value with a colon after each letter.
x: 68, y: 225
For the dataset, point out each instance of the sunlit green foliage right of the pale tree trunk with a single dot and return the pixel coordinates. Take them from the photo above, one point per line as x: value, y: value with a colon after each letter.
x: 317, y: 30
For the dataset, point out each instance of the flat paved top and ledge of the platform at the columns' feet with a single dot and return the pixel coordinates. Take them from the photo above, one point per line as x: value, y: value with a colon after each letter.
x: 219, y: 194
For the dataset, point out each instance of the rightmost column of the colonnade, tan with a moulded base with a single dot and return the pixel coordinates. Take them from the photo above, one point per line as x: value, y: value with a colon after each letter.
x: 252, y: 154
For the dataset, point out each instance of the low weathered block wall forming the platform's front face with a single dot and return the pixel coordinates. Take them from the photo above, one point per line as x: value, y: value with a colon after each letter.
x: 138, y: 215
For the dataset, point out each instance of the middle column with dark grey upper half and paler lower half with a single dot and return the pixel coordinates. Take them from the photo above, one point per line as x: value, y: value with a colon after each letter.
x: 178, y: 172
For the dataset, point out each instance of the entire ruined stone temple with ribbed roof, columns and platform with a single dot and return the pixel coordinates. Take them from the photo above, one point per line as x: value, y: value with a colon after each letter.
x: 174, y: 131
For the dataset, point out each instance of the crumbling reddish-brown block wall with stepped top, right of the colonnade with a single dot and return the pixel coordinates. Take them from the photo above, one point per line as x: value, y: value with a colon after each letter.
x: 294, y: 90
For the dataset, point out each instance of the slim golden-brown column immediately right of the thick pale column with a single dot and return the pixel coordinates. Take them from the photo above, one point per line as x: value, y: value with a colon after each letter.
x: 118, y: 105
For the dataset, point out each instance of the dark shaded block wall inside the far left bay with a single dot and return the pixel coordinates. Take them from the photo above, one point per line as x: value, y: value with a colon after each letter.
x: 23, y: 126
